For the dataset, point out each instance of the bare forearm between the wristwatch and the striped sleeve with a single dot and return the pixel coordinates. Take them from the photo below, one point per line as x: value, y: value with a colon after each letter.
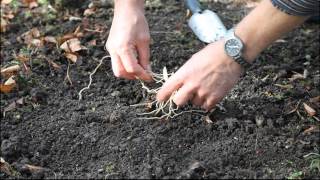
x: 264, y: 25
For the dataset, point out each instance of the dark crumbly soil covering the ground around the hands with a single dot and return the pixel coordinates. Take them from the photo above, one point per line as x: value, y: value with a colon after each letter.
x: 252, y: 134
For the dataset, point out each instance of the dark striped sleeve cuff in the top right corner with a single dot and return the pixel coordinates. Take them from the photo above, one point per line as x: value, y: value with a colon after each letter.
x: 298, y: 7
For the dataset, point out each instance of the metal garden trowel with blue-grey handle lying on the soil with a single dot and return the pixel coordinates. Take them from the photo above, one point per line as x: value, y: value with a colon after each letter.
x: 206, y: 24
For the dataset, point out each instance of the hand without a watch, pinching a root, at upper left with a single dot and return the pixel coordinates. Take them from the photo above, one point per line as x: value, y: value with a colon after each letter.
x: 128, y: 43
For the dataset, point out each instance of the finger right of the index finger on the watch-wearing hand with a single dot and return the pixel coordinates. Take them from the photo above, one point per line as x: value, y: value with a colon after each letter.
x: 183, y: 95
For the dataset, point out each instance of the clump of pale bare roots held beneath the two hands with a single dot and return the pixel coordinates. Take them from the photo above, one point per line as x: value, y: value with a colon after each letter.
x: 167, y: 109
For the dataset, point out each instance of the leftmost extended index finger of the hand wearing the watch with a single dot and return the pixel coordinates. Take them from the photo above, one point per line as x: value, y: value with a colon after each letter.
x: 171, y: 85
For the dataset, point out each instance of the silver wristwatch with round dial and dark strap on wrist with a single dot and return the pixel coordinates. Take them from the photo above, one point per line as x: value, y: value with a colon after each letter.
x: 233, y: 47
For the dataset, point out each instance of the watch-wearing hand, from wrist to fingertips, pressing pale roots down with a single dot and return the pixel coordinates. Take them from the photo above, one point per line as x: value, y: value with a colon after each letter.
x: 205, y: 79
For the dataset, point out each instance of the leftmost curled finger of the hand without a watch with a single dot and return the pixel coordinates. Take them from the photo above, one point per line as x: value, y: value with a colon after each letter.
x: 118, y: 68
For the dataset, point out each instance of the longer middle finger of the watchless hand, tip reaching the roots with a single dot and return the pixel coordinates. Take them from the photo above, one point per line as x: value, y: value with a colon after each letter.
x: 130, y: 63
